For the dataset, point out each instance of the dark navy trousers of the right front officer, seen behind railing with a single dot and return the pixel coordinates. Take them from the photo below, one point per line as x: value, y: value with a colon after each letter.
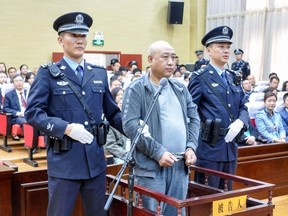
x: 215, y: 181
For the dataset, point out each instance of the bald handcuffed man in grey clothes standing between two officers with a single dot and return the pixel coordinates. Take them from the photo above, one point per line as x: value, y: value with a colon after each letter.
x: 168, y: 146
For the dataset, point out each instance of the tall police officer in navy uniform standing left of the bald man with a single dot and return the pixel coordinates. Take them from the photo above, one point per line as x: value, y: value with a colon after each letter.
x: 54, y: 108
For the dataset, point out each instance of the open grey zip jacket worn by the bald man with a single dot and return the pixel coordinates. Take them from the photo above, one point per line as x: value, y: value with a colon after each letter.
x: 149, y: 150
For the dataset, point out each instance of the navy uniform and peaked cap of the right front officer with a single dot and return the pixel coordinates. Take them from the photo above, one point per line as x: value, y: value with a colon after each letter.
x: 204, y: 85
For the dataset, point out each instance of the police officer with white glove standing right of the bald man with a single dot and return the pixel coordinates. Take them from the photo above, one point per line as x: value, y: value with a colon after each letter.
x: 220, y: 106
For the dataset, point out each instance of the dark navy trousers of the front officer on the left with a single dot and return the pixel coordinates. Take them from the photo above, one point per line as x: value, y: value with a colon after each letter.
x: 63, y: 194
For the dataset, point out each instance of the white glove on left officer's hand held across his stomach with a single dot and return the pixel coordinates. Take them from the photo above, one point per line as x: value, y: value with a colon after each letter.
x: 79, y: 133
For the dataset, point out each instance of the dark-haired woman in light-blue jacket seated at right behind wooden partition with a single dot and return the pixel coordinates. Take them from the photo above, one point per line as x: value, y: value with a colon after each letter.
x: 269, y: 123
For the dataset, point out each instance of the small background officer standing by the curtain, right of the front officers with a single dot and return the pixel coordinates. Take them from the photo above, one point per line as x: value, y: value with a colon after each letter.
x: 239, y: 65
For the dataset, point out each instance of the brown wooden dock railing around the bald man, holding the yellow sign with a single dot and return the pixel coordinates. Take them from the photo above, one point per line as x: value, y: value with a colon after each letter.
x: 200, y: 197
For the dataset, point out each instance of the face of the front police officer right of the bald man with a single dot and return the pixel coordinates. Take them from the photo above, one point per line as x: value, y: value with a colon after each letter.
x: 219, y: 53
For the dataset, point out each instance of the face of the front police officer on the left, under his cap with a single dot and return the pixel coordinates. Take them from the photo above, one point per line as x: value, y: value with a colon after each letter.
x: 73, y: 45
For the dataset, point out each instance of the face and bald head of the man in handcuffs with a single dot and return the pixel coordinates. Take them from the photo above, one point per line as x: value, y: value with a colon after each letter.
x: 163, y: 62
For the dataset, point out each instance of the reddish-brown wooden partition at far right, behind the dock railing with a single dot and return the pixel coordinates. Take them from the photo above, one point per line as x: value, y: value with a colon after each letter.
x: 268, y: 163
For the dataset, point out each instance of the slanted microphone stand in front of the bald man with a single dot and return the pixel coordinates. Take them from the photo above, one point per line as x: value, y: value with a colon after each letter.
x: 130, y: 160
